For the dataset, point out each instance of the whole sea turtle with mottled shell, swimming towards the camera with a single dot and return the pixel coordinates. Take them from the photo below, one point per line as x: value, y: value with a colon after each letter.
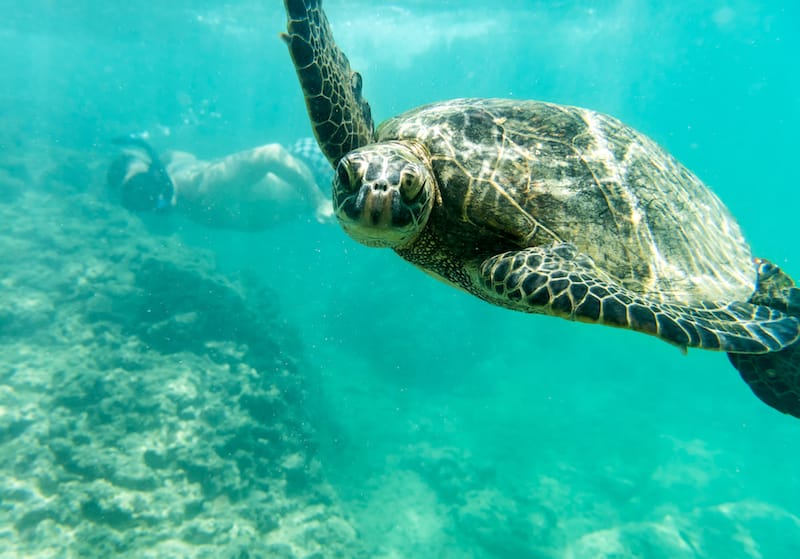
x: 549, y: 209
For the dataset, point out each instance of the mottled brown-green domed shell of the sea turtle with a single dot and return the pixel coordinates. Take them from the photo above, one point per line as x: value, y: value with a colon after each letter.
x: 515, y: 174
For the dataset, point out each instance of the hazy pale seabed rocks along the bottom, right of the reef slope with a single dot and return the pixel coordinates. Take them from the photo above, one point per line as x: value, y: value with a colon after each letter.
x: 562, y: 517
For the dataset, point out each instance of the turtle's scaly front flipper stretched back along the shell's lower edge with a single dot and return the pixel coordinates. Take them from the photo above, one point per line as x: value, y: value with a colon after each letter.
x: 560, y: 281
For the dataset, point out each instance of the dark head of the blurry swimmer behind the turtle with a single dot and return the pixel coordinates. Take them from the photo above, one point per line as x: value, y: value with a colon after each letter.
x: 140, y: 183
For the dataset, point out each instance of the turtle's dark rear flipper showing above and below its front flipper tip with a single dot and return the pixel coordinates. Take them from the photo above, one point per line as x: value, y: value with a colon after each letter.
x: 774, y: 377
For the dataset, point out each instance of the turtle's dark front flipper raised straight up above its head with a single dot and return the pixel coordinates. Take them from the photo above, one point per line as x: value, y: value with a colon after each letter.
x: 341, y: 117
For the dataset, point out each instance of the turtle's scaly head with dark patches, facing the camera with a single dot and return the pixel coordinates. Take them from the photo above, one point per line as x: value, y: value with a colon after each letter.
x: 383, y: 193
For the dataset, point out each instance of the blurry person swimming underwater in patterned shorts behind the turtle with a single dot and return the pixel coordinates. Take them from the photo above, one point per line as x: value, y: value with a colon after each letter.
x: 250, y: 190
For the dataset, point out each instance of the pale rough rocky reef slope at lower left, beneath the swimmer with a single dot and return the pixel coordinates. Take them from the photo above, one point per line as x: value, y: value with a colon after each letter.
x: 149, y: 406
